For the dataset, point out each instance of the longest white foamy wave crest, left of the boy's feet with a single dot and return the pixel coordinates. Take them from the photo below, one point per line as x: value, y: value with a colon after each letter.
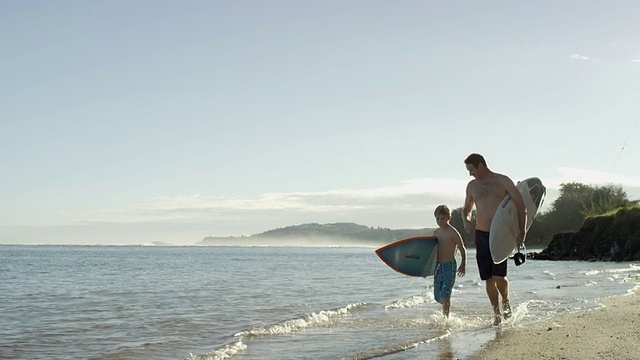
x: 305, y: 321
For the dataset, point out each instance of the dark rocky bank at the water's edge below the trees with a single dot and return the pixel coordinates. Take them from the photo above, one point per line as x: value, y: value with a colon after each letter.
x: 614, y: 237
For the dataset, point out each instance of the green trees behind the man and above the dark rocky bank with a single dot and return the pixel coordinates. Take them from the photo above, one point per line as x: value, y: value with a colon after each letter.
x: 575, y: 203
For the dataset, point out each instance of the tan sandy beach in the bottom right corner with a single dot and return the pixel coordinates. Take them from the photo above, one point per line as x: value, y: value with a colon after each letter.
x: 610, y: 332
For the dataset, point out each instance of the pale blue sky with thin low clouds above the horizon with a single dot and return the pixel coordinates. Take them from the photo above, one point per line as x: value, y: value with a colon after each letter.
x: 129, y: 122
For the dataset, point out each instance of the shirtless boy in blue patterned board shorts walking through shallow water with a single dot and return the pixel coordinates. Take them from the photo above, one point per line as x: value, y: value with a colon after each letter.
x: 448, y: 240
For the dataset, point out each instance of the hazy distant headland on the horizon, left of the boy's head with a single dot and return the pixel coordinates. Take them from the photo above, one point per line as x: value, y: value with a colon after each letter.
x: 319, y: 235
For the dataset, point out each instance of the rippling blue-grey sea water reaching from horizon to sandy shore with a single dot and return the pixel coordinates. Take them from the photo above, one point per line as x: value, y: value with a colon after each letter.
x: 102, y: 302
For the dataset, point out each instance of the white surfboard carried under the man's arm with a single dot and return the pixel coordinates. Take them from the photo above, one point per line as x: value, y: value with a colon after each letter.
x: 504, y: 227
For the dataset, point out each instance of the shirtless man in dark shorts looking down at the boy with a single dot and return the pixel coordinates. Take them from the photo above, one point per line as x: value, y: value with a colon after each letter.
x: 487, y: 191
